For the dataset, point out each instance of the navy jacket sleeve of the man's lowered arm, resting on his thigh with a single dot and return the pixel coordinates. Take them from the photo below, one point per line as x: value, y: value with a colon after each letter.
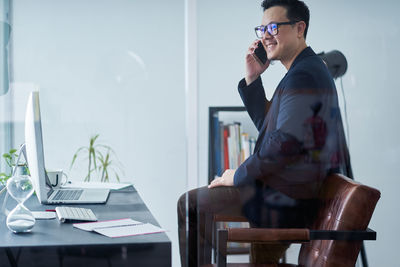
x: 285, y: 144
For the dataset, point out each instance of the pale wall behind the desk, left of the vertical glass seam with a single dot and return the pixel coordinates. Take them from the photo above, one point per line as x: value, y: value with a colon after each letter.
x: 113, y: 67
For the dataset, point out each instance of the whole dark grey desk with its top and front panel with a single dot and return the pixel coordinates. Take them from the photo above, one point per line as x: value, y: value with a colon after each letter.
x: 52, y: 243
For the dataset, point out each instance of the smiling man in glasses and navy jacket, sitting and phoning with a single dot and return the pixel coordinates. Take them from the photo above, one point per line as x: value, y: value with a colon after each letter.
x: 301, y: 139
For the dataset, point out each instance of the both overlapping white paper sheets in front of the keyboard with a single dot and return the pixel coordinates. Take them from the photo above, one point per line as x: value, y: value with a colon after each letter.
x: 119, y: 228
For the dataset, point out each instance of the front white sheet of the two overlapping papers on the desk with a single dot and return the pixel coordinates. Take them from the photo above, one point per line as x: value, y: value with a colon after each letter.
x: 129, y: 230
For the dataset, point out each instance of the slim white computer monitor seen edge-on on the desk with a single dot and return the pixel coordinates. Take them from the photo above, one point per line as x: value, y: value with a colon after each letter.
x: 34, y: 148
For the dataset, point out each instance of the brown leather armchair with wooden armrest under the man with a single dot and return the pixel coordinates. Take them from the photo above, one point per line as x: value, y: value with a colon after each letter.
x: 336, y: 236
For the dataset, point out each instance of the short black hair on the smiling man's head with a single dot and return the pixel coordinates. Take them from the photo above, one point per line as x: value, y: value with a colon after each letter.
x: 296, y: 10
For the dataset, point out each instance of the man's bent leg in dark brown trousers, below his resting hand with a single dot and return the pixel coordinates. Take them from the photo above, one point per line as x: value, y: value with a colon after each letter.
x: 194, y: 206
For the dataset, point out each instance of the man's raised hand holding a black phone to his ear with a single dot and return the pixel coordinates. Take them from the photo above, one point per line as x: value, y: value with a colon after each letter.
x: 256, y: 61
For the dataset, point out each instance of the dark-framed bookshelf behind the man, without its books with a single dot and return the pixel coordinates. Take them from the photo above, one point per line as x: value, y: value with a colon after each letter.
x: 232, y: 115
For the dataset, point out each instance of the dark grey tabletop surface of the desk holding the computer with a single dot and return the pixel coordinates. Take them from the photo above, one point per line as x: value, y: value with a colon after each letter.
x: 51, y: 233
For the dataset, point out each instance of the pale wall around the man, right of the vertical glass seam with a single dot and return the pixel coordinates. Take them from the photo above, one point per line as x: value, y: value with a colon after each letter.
x: 367, y: 32
